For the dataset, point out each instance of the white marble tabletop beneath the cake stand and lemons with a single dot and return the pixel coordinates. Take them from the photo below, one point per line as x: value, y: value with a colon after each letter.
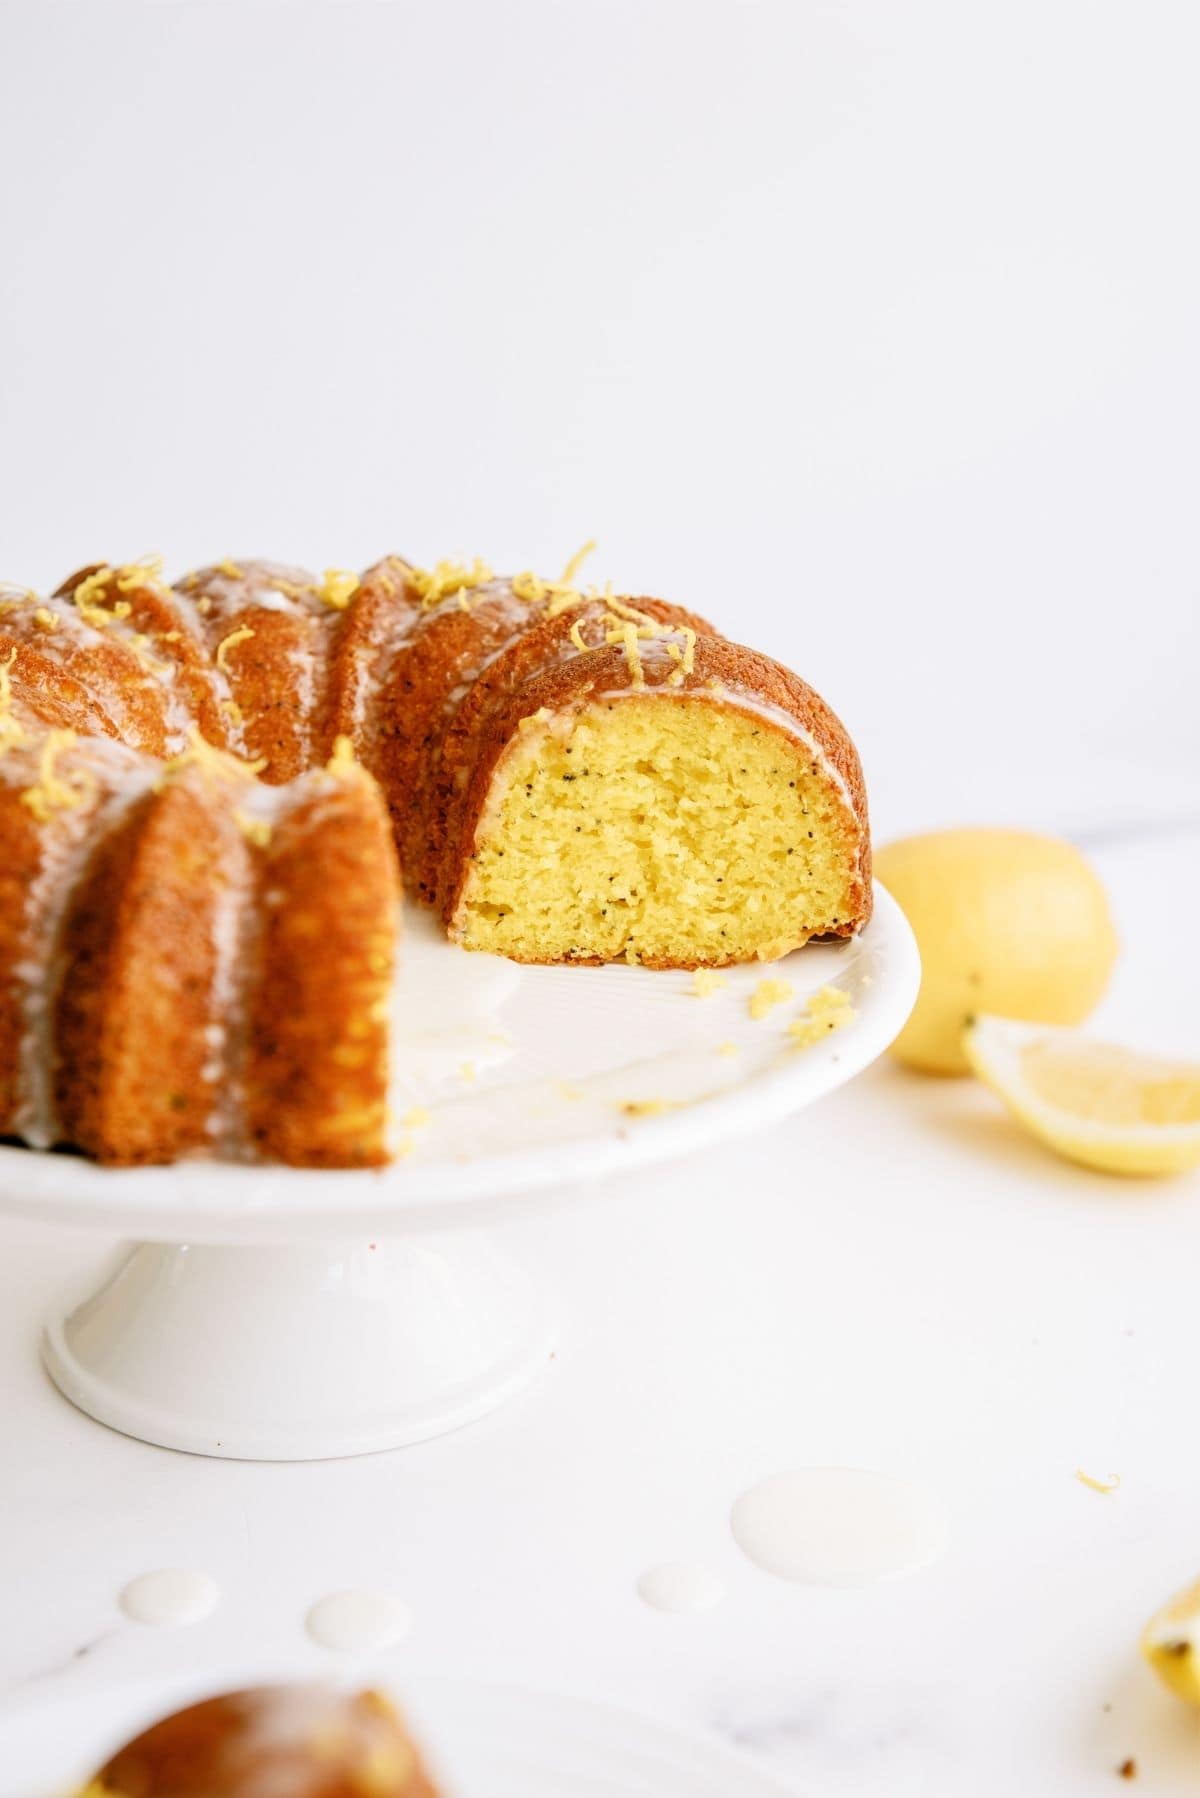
x: 895, y: 1279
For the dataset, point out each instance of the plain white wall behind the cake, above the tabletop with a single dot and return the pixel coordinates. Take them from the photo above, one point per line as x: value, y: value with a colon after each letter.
x: 866, y: 328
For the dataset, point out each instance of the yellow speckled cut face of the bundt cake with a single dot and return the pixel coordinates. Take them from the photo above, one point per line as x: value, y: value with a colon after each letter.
x: 658, y: 830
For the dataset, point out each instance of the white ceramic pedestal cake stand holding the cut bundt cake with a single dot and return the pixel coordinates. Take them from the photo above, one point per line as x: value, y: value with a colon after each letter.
x: 287, y: 1315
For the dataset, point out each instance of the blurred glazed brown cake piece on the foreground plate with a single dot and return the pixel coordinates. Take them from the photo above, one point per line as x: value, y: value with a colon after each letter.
x: 271, y: 1743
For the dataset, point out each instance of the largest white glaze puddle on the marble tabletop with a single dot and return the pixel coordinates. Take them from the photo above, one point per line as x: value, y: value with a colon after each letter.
x: 839, y: 1526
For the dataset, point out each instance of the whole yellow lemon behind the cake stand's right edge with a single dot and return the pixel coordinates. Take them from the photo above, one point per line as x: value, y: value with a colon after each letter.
x: 1008, y: 923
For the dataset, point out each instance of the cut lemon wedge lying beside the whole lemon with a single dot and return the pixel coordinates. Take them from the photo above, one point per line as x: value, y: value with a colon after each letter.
x: 1095, y: 1103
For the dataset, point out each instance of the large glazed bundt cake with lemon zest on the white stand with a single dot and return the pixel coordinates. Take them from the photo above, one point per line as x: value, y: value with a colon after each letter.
x: 210, y: 792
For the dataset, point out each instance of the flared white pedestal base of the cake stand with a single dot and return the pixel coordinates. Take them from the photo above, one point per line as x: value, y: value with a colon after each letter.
x: 301, y: 1353
